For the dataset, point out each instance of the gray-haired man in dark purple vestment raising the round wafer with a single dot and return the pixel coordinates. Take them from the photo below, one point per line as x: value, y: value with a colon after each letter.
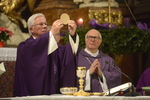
x: 43, y: 66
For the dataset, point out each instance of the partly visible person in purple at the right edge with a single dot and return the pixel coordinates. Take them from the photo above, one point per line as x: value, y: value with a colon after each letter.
x: 144, y: 81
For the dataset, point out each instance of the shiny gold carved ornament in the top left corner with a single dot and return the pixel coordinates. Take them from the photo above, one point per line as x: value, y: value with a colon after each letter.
x: 13, y: 8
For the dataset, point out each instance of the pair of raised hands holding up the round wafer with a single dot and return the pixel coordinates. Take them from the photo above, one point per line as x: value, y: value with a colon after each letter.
x: 58, y: 24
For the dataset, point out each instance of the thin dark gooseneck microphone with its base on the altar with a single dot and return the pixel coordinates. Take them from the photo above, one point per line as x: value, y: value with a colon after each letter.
x: 132, y: 92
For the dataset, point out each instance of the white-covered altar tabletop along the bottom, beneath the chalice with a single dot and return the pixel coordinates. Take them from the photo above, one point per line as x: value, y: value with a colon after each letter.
x: 70, y: 97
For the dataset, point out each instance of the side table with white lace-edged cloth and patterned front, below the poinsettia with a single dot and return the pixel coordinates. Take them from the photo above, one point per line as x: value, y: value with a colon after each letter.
x: 8, y: 56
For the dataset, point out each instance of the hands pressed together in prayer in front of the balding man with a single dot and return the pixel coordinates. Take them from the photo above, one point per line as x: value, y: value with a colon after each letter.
x: 95, y: 68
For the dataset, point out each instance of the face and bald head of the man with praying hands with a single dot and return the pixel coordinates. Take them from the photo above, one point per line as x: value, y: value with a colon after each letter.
x: 93, y: 40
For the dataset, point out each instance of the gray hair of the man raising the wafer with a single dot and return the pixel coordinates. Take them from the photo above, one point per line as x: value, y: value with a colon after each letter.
x: 32, y: 19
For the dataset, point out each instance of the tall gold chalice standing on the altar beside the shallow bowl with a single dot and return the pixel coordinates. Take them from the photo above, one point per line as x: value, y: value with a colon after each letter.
x: 81, y: 72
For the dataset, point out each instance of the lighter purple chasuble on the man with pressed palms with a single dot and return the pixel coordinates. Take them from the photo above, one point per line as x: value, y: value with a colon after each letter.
x: 113, y: 77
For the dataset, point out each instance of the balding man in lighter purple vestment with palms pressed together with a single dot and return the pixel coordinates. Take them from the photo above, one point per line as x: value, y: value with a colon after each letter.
x: 101, y: 70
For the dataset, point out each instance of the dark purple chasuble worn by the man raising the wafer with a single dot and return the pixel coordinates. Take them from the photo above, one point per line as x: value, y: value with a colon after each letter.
x: 38, y: 73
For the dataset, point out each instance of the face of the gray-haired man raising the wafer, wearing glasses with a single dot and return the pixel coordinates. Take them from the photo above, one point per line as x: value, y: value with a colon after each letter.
x: 39, y: 26
